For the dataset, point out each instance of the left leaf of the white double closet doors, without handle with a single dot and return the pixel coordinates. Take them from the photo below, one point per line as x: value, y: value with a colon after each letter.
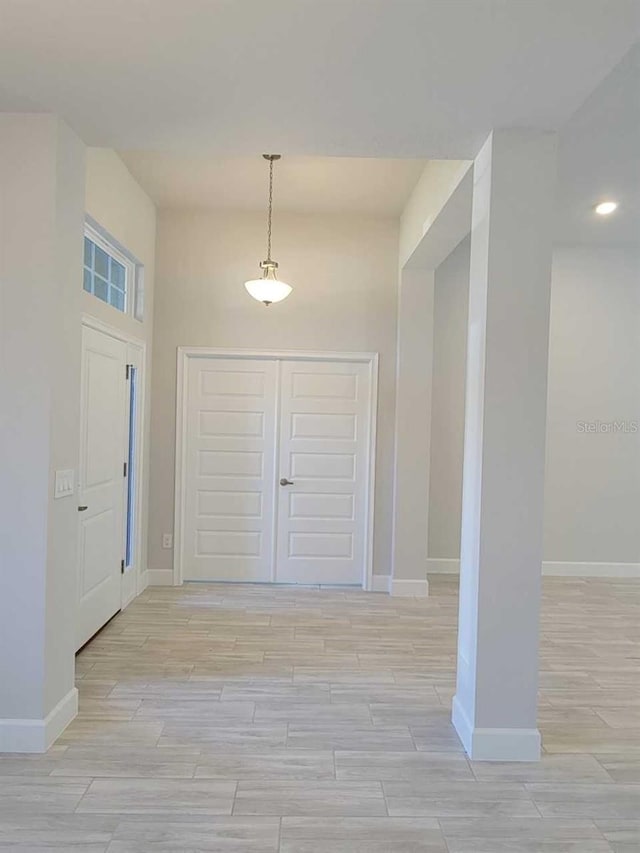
x: 230, y: 446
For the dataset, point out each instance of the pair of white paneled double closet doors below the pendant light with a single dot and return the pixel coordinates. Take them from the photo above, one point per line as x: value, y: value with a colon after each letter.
x: 276, y: 470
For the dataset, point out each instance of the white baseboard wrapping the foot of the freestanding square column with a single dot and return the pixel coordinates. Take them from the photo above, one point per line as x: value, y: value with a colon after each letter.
x: 495, y: 744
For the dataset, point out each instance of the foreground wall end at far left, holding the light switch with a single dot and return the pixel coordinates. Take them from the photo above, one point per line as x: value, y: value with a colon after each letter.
x: 41, y: 227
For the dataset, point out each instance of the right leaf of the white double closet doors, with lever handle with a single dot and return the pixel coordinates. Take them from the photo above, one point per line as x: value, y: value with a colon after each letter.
x: 324, y: 441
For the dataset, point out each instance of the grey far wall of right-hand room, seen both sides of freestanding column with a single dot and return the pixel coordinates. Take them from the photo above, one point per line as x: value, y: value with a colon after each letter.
x: 592, y: 492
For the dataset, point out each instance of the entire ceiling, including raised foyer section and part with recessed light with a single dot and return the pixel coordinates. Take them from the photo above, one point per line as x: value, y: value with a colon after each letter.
x: 194, y: 91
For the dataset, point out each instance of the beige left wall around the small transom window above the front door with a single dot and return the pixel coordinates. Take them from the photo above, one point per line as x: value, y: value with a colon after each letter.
x: 118, y: 204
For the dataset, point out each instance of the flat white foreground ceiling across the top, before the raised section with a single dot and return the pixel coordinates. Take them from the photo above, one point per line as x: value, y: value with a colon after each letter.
x: 364, y: 78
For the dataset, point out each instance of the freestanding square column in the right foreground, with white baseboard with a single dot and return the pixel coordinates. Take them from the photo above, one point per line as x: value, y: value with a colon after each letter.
x: 495, y: 707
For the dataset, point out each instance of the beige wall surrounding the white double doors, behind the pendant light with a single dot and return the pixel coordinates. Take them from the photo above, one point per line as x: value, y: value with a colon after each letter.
x: 344, y: 271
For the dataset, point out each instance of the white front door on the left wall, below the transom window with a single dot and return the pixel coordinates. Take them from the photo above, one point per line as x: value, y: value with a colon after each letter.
x: 101, y: 494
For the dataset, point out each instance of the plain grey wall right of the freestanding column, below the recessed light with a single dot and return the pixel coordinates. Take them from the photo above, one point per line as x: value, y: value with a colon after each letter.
x: 592, y: 496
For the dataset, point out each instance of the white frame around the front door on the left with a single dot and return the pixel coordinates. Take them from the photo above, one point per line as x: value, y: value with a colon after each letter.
x: 132, y: 581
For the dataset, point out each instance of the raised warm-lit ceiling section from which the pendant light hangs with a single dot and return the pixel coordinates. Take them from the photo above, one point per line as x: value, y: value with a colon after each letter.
x: 301, y: 184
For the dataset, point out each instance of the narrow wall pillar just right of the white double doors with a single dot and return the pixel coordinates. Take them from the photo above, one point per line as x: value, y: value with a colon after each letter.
x: 413, y: 427
